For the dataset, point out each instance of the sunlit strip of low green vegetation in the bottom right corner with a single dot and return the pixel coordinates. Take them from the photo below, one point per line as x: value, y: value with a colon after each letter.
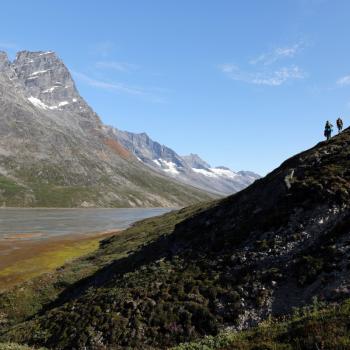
x: 310, y: 328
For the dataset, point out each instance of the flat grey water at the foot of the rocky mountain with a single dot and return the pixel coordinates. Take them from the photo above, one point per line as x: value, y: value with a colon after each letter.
x: 49, y: 222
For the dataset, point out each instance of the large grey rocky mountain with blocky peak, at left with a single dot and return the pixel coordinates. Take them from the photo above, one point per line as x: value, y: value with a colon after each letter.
x: 54, y: 150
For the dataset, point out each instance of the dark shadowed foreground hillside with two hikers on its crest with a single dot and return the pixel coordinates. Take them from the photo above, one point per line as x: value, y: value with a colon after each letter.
x: 227, y: 265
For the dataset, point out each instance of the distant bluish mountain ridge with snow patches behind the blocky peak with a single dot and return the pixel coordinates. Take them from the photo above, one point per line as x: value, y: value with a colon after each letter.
x: 190, y: 170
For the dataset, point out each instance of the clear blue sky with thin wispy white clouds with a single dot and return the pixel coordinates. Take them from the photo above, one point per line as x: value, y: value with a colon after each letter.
x: 244, y: 84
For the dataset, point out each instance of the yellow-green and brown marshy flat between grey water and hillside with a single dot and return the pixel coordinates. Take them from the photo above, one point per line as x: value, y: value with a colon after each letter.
x: 22, y: 259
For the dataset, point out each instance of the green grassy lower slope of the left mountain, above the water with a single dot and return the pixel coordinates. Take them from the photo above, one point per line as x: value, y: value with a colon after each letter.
x: 50, y: 186
